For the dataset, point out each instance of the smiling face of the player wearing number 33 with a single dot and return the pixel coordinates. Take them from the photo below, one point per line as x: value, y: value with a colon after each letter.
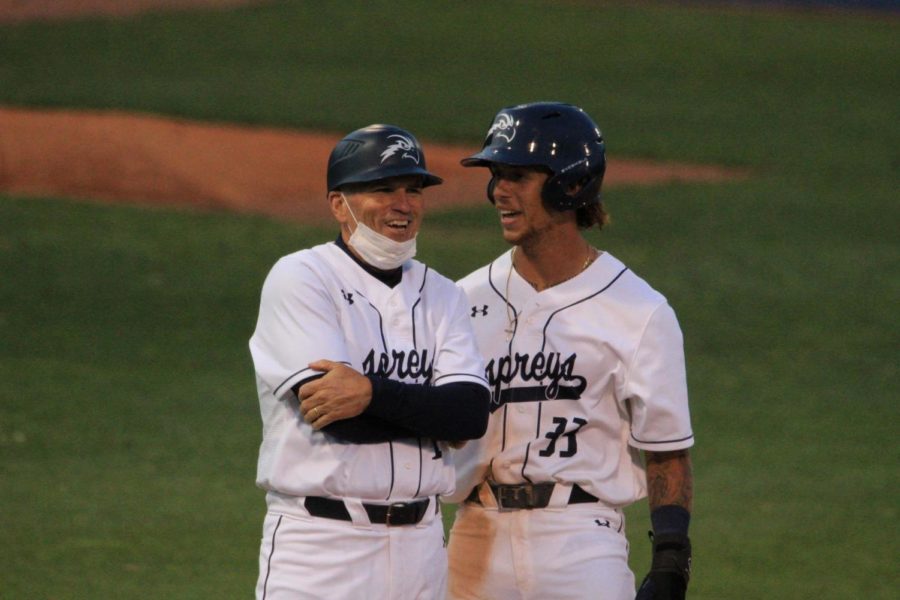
x: 517, y: 198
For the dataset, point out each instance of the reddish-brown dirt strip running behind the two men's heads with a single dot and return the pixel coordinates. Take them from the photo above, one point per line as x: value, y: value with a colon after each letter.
x: 142, y: 159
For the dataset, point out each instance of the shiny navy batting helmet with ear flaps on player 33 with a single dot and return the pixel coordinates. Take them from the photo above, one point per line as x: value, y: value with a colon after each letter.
x: 560, y: 137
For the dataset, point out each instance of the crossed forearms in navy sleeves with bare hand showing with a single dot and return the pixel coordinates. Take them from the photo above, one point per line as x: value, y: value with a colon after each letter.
x: 383, y: 409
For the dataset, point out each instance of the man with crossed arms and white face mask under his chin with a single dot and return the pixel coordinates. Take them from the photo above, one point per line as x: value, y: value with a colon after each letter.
x: 367, y: 369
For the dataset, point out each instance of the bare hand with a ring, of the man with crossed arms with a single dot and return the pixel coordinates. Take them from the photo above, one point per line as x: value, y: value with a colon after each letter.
x: 342, y: 393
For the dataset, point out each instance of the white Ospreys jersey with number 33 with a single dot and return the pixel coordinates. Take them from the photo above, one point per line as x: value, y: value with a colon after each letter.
x: 582, y: 375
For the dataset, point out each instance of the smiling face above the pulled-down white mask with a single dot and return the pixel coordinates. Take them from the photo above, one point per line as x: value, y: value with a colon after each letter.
x: 393, y: 207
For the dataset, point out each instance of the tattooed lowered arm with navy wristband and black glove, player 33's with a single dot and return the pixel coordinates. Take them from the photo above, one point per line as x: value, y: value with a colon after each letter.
x: 670, y: 490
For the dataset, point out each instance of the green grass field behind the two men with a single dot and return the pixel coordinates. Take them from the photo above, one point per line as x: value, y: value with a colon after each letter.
x: 128, y: 416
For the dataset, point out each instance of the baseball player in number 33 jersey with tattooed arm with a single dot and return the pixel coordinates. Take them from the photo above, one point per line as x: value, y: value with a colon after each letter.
x: 586, y: 369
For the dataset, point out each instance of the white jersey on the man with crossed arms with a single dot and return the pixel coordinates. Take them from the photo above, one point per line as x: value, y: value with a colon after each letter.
x: 320, y: 304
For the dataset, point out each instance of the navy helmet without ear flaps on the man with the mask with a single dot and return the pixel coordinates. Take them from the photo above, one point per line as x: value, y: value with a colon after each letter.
x: 377, y: 152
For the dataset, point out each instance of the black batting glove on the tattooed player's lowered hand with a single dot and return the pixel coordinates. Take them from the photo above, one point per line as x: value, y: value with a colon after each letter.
x: 671, y: 568
